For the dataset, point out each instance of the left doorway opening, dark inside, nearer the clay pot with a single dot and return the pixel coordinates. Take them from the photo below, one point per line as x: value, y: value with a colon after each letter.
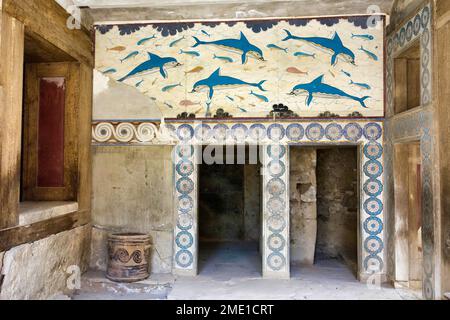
x: 230, y: 214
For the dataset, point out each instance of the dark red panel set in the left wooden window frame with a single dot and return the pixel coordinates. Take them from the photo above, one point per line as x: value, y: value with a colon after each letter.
x: 50, y: 168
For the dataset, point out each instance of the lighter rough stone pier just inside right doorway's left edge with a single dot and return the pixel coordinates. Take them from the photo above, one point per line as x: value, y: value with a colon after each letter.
x: 303, y: 185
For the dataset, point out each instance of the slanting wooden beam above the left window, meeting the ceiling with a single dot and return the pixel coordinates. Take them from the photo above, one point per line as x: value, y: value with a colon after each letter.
x: 46, y: 19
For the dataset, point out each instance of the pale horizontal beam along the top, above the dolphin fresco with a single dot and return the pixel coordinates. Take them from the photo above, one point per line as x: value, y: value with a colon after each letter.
x: 213, y: 9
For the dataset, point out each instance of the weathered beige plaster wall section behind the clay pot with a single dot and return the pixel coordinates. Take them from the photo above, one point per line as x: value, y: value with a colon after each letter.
x: 132, y: 192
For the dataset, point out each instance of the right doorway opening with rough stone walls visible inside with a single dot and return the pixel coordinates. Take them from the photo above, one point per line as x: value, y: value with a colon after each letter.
x: 324, y: 209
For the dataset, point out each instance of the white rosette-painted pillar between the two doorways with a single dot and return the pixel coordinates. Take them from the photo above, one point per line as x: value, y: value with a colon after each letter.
x: 276, y: 211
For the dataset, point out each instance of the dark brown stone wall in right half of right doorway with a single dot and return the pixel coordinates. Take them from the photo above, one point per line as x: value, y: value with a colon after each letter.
x: 337, y: 203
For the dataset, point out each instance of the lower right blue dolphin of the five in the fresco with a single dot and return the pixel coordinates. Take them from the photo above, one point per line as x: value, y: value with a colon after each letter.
x: 317, y: 86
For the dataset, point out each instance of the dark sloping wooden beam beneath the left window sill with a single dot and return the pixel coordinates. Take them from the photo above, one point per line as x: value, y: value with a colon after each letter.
x: 17, y: 236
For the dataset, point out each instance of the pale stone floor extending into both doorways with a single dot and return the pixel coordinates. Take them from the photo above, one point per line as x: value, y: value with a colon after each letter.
x: 233, y: 271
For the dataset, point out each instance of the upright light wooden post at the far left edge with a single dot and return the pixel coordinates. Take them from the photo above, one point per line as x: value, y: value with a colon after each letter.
x: 11, y: 82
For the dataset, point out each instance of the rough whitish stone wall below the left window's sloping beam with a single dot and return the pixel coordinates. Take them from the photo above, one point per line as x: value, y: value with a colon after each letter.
x: 39, y: 270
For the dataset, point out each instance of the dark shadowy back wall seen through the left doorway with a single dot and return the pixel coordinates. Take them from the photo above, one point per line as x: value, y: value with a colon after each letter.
x: 229, y: 206
